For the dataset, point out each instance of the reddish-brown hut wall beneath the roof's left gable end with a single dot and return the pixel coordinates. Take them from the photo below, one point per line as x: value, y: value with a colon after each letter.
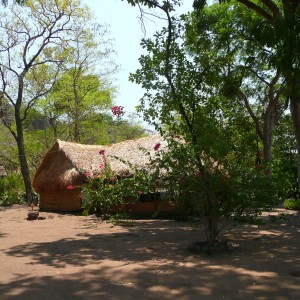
x: 69, y: 200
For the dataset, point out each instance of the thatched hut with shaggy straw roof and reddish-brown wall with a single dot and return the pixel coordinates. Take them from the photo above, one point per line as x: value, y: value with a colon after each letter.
x: 67, y: 163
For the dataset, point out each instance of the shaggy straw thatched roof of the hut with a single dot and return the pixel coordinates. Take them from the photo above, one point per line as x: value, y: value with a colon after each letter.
x: 66, y: 162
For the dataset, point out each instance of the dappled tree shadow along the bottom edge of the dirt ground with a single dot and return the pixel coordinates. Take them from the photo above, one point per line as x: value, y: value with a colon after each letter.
x: 166, y: 281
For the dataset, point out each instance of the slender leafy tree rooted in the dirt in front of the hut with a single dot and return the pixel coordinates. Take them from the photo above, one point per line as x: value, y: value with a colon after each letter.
x: 177, y: 102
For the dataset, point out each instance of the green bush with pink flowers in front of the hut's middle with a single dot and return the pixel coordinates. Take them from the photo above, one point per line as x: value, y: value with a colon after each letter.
x: 106, y: 193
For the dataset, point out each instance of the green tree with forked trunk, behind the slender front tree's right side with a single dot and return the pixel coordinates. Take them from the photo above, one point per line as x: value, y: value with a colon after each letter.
x: 248, y: 78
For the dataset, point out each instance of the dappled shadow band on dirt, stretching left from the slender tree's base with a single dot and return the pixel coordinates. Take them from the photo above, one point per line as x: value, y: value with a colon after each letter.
x: 137, y: 244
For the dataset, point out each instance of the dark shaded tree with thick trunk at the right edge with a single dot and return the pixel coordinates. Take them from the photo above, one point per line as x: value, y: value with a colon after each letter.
x: 281, y: 21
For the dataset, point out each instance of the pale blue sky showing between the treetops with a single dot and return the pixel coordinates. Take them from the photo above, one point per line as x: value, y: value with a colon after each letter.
x: 125, y: 30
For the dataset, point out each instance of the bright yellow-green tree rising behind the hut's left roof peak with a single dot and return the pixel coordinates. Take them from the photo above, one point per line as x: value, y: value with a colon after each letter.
x: 73, y: 99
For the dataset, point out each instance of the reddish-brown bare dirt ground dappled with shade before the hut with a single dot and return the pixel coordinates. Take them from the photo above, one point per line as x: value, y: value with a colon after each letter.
x: 63, y: 256
